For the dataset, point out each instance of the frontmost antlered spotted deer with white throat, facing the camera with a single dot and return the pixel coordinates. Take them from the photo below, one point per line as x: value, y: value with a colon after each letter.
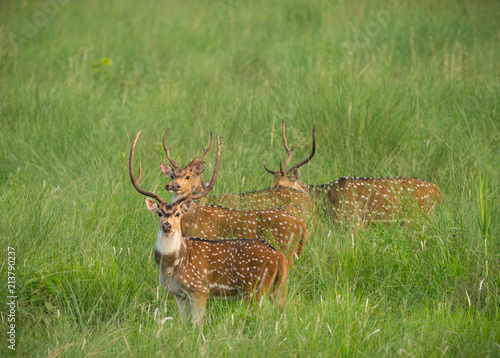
x: 194, y: 270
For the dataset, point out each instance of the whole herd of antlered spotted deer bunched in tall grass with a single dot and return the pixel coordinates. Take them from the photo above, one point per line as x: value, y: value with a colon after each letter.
x: 243, y: 244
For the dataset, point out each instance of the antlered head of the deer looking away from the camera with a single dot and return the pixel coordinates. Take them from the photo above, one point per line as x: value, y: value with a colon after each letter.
x: 289, y: 178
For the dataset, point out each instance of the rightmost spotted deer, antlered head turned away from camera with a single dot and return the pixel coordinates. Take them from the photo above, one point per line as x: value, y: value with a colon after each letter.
x: 359, y: 201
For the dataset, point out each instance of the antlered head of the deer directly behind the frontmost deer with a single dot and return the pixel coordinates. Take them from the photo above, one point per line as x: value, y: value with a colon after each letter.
x: 187, y: 179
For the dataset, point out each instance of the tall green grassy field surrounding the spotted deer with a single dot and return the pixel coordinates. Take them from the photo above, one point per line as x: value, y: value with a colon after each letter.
x: 400, y: 88
